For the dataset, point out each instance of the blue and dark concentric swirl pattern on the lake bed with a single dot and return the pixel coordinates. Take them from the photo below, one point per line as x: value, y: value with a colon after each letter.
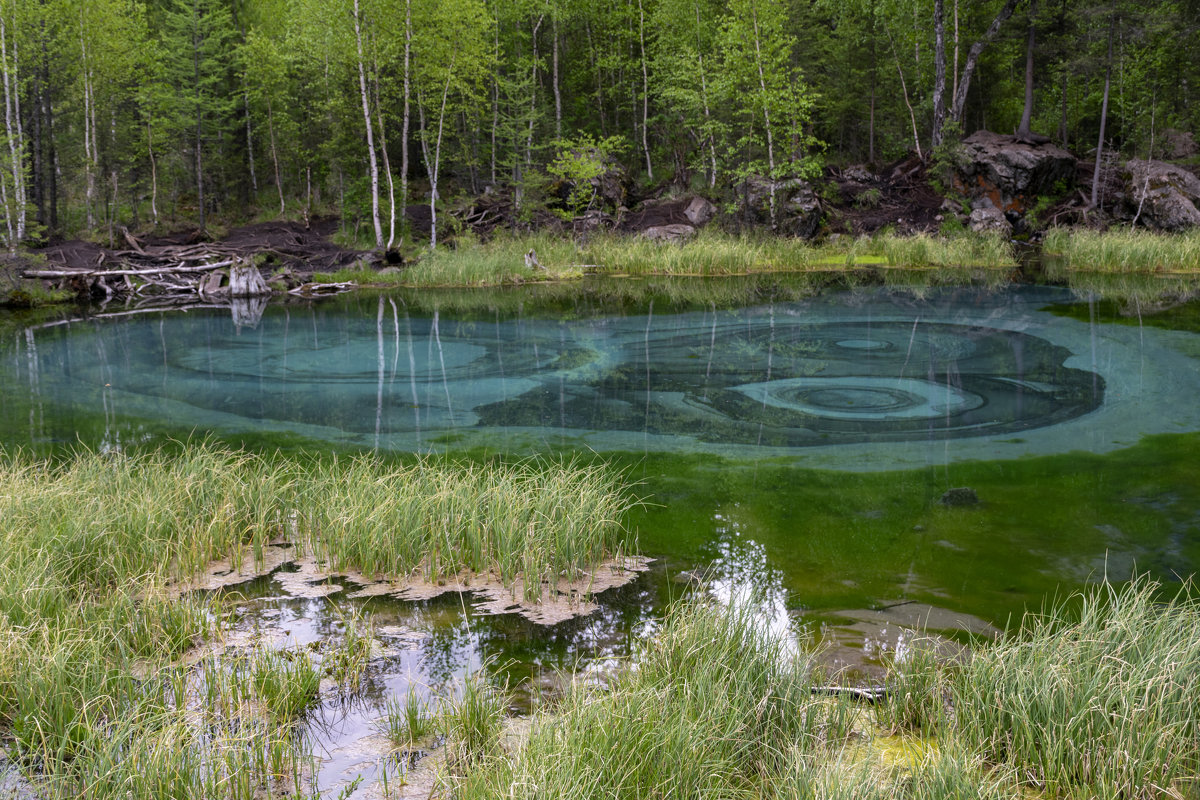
x: 781, y: 377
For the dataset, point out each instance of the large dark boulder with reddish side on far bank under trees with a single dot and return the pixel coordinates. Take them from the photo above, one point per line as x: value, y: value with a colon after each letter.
x: 1011, y: 172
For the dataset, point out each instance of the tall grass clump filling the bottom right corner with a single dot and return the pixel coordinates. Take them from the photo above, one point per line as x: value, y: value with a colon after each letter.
x: 1096, y: 696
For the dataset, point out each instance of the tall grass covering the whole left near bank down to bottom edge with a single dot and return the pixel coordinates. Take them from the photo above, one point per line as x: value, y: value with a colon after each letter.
x: 91, y: 697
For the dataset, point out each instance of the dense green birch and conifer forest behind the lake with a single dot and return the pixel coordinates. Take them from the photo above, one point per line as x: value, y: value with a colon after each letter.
x: 163, y: 112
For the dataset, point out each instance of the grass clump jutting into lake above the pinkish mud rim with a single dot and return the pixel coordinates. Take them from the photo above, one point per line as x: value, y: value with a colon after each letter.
x: 531, y: 521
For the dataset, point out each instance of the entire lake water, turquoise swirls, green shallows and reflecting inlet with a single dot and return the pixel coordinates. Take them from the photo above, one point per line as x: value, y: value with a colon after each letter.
x: 789, y: 440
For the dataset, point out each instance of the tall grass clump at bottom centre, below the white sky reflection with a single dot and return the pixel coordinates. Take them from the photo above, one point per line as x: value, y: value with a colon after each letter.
x: 713, y: 707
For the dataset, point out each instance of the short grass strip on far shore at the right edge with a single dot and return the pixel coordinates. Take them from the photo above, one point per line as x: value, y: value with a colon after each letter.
x: 1121, y: 250
